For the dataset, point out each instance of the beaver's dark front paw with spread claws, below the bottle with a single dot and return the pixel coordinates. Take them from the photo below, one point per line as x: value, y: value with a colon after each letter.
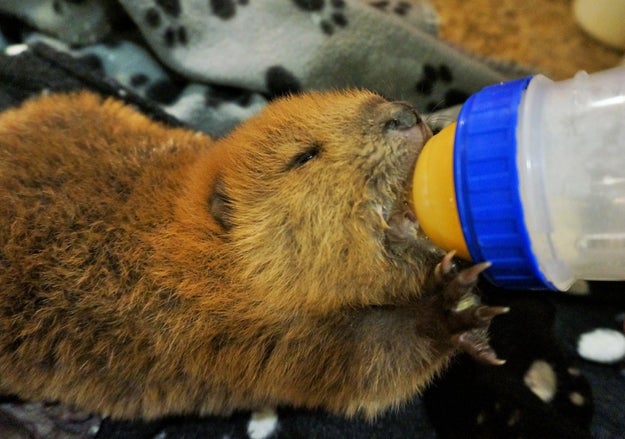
x: 466, y: 318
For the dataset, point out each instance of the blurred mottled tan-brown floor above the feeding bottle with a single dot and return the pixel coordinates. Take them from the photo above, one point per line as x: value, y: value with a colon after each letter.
x: 537, y: 33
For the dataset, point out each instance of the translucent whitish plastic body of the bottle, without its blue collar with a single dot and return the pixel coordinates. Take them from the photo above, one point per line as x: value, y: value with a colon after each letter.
x: 571, y: 161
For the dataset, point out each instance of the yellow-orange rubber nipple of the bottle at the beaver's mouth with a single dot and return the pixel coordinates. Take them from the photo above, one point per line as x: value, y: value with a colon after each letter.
x: 434, y: 195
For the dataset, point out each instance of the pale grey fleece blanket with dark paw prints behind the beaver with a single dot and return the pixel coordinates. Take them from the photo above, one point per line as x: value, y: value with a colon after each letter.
x: 214, y: 63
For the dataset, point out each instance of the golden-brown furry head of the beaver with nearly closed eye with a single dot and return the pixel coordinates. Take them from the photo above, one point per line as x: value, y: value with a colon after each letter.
x: 312, y: 196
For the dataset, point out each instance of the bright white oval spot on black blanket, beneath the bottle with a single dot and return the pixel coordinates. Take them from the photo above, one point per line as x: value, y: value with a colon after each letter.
x: 602, y: 345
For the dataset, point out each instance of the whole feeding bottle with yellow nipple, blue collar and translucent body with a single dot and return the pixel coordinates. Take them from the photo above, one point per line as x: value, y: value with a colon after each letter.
x: 531, y: 177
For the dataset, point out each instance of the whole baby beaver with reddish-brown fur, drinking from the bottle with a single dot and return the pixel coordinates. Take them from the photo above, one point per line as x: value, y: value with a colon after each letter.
x: 147, y: 271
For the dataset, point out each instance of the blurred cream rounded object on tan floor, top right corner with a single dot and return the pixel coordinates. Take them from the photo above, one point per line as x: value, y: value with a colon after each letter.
x: 603, y: 20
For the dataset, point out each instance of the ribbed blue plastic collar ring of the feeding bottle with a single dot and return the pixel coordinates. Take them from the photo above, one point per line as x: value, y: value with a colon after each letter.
x: 487, y: 187
